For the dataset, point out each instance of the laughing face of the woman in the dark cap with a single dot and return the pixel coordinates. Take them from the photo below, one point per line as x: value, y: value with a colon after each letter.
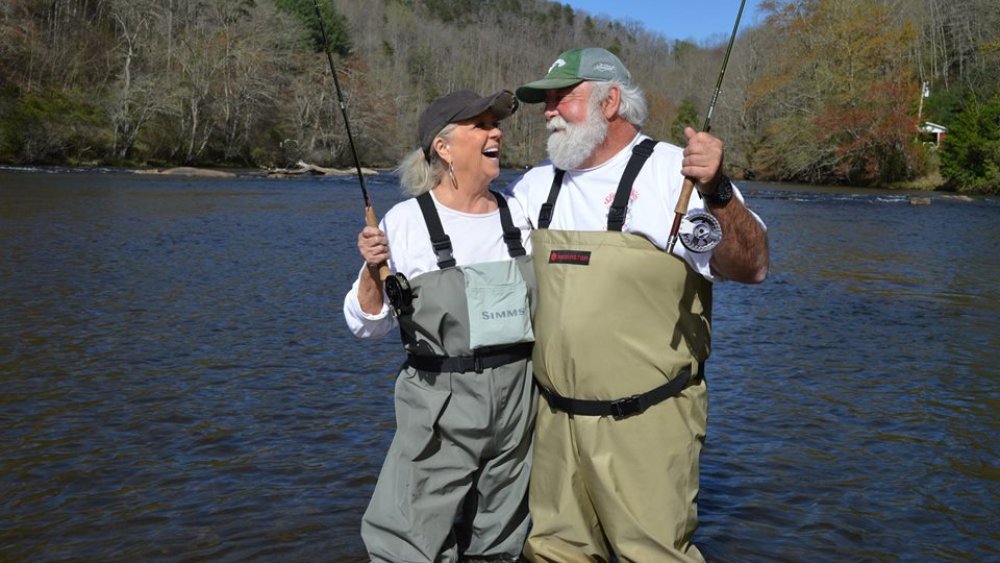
x: 473, y: 147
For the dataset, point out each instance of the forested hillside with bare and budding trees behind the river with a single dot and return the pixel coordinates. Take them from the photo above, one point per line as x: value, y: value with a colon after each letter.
x: 827, y: 91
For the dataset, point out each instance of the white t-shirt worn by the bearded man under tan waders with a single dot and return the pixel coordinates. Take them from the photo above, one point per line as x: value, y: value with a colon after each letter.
x: 587, y: 195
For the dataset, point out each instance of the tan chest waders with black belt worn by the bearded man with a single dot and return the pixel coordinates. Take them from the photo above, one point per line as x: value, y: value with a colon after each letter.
x: 622, y: 331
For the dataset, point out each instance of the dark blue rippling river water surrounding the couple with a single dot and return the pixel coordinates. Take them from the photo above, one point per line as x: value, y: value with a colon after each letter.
x: 178, y: 383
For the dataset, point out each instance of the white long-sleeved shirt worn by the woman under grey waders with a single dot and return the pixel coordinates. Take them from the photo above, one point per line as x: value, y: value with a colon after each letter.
x: 475, y: 238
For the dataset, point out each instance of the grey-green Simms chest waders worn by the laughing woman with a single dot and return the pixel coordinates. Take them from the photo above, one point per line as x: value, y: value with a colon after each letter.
x: 455, y: 479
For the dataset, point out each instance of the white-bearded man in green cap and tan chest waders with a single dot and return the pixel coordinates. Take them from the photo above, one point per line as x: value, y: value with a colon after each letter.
x: 622, y: 327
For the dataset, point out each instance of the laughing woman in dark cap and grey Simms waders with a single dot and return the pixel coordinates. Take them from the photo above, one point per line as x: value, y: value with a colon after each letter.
x: 455, y: 478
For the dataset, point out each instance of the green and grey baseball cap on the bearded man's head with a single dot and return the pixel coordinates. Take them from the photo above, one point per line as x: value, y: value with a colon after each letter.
x: 573, y: 67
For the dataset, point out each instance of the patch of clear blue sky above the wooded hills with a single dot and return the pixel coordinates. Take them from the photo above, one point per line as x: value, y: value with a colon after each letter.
x: 697, y: 20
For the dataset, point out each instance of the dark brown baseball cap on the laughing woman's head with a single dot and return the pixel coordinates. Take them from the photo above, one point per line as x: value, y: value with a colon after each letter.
x: 458, y: 106
